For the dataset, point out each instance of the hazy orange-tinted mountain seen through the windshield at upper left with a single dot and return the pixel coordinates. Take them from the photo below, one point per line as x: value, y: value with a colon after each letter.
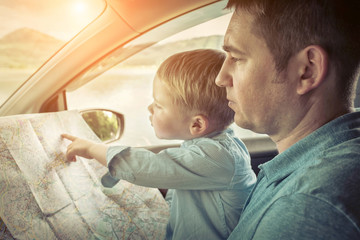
x: 26, y: 48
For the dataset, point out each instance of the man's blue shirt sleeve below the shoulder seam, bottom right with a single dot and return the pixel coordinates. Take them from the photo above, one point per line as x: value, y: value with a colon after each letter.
x: 303, y: 216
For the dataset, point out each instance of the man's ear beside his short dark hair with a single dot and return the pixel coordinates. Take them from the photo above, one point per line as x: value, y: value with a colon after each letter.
x: 314, y: 67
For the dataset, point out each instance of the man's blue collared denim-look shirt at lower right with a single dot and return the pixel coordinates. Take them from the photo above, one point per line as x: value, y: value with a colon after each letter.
x: 311, y: 190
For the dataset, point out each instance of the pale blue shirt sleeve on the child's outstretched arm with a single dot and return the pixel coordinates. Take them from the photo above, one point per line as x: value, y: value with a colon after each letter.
x: 204, y: 166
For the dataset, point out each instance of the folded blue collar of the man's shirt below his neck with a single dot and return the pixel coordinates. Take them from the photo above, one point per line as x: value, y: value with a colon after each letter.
x: 312, y: 146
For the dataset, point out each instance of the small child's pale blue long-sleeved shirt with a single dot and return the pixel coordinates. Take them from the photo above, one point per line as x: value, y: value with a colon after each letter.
x: 211, y: 177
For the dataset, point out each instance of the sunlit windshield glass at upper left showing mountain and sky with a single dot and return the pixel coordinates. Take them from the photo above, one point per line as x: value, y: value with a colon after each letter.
x: 27, y: 40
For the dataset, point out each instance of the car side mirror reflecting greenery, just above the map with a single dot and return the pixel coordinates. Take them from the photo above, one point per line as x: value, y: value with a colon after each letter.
x: 108, y: 125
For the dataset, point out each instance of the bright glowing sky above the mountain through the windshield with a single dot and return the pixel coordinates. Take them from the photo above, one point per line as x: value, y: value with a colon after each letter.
x: 59, y: 18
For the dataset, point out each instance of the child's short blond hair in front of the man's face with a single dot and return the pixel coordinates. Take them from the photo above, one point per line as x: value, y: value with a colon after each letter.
x: 191, y: 78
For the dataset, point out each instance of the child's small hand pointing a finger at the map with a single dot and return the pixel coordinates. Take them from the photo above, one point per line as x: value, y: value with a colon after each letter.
x: 78, y: 147
